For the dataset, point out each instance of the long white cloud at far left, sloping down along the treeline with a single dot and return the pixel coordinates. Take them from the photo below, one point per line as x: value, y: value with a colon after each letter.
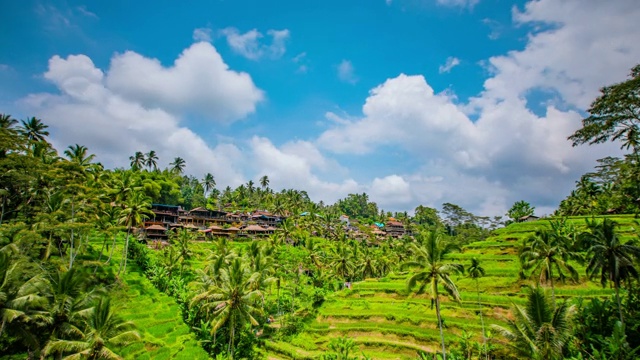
x: 87, y: 112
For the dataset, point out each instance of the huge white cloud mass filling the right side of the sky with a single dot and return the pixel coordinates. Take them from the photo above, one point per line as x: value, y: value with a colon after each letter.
x: 494, y: 150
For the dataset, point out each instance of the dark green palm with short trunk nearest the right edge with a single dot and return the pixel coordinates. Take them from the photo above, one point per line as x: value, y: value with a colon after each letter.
x: 609, y: 258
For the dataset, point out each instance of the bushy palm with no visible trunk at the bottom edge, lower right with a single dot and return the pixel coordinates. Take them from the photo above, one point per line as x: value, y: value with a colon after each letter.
x: 541, y: 329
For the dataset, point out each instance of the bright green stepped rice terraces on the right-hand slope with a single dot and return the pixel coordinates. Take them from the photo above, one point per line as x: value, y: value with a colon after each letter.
x: 387, y: 322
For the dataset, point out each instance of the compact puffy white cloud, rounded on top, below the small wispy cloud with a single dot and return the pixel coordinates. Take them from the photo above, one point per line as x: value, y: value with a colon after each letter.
x: 198, y: 82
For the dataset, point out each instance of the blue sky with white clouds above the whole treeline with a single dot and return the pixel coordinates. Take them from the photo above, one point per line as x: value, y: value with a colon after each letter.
x: 415, y: 102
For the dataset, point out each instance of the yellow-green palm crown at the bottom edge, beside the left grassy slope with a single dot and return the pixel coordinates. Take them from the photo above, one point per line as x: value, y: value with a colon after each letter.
x: 105, y: 331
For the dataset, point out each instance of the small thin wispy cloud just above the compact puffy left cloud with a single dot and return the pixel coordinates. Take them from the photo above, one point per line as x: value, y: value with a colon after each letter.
x: 249, y: 45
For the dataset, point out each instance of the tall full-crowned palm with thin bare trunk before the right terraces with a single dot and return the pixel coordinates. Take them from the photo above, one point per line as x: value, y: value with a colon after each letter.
x: 430, y: 251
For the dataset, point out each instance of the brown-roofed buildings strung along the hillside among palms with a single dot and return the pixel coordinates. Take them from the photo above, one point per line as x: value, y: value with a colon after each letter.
x: 217, y: 223
